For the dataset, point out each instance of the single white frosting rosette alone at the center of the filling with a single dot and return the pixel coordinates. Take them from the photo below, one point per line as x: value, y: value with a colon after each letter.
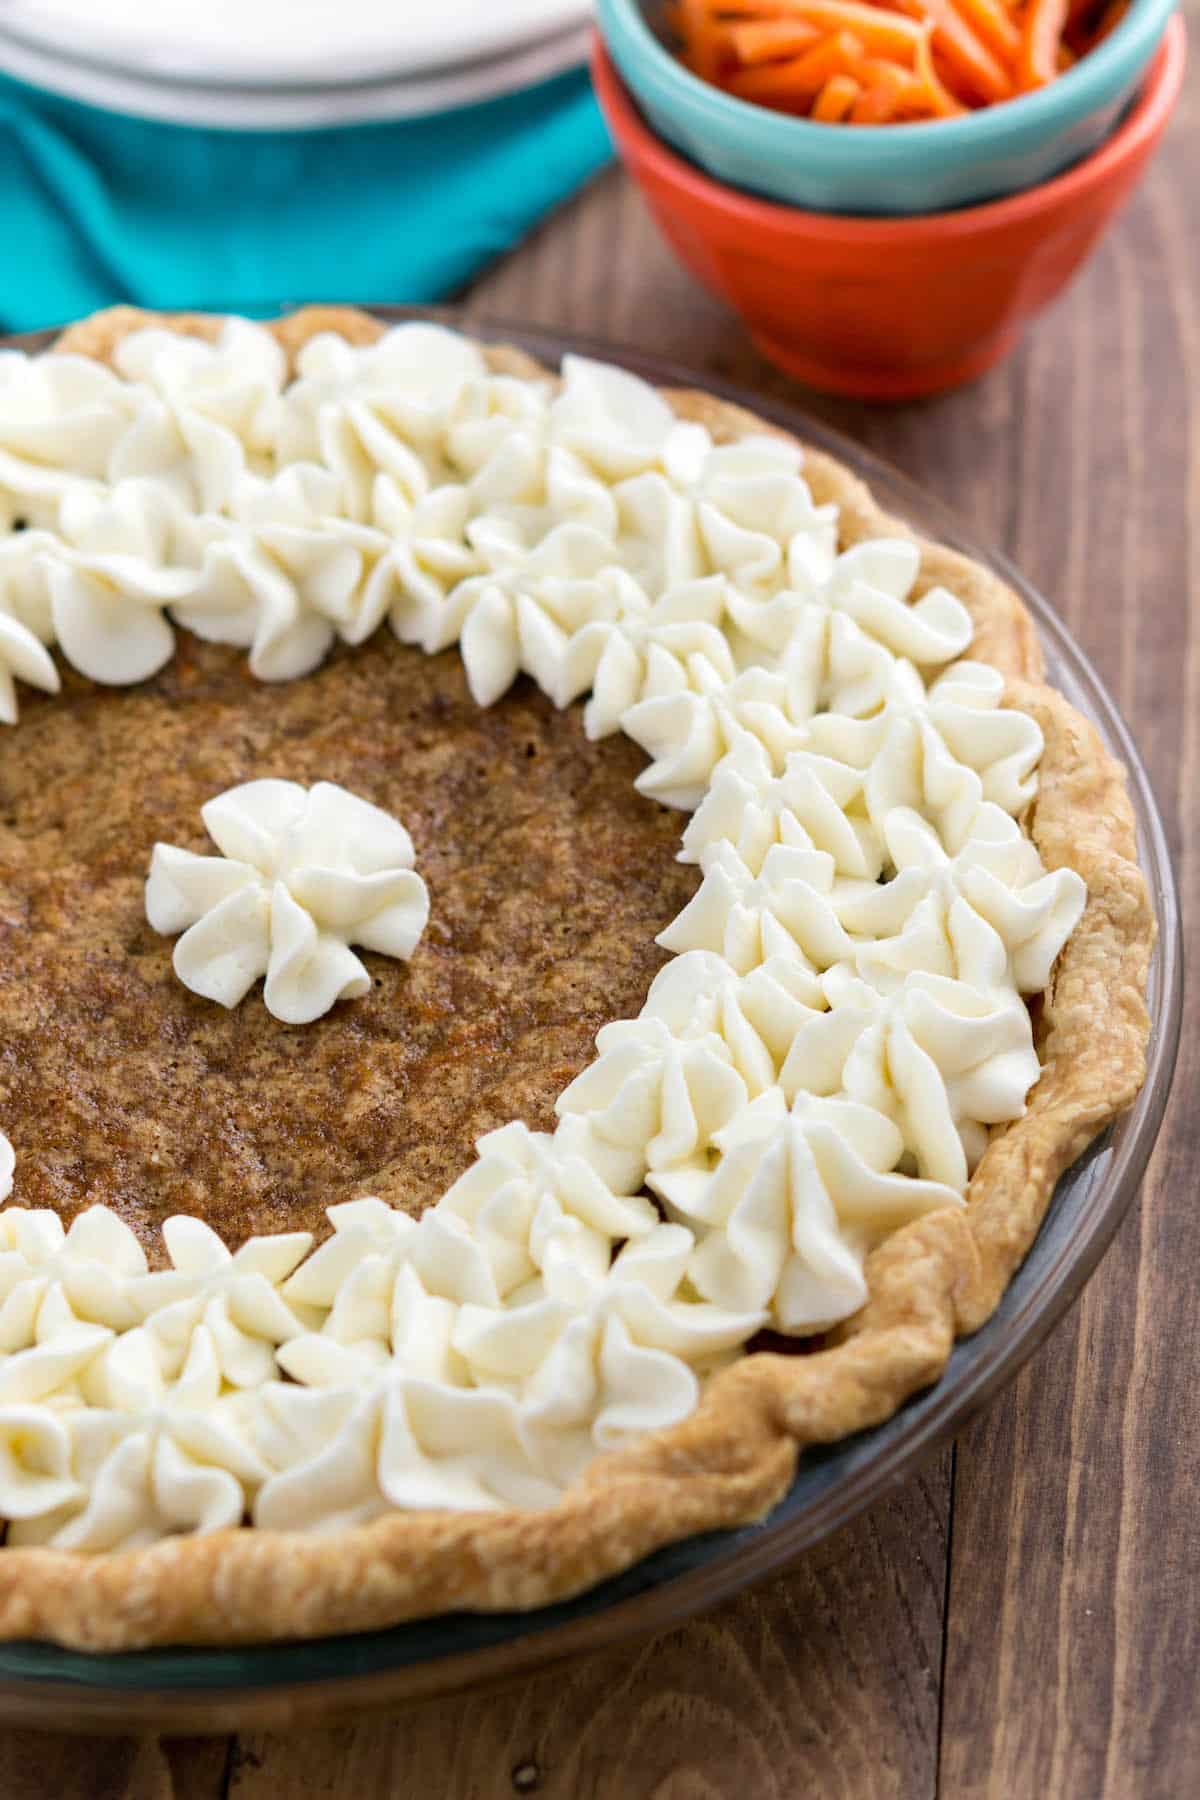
x: 303, y: 876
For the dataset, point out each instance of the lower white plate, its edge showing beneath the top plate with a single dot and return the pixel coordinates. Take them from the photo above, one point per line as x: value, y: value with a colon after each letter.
x: 280, y: 109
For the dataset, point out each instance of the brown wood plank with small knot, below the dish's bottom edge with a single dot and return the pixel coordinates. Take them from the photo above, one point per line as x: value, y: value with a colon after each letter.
x: 776, y: 1695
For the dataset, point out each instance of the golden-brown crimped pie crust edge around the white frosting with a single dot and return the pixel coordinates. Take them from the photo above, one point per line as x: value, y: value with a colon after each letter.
x: 735, y: 1457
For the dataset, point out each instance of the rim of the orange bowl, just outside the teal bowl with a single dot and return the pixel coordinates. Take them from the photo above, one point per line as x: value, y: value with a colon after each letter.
x: 1140, y: 127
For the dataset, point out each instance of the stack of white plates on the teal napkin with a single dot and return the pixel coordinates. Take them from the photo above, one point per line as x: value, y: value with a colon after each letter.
x: 289, y: 64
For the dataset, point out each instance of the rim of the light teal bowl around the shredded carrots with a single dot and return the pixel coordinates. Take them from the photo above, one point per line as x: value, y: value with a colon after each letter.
x: 990, y: 127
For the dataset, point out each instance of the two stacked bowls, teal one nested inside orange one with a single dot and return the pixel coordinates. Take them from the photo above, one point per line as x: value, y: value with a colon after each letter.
x: 893, y: 260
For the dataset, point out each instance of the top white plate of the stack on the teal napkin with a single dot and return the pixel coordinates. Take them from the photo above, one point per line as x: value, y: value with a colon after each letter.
x: 292, y: 42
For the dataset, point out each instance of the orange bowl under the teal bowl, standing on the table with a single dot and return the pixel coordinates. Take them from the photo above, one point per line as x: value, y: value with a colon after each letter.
x: 900, y: 307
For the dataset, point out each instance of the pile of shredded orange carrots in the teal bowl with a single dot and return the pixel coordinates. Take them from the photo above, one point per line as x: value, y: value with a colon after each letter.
x: 881, y: 62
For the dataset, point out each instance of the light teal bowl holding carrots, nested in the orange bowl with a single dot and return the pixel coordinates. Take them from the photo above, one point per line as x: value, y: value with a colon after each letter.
x: 884, y: 170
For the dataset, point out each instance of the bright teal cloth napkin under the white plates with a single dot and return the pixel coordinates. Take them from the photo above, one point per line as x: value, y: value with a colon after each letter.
x: 100, y: 208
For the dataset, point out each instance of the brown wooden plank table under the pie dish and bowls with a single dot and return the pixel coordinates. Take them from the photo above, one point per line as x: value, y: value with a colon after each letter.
x: 1023, y: 1619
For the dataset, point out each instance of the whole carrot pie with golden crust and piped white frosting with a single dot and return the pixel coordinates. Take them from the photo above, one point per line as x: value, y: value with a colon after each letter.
x: 728, y: 771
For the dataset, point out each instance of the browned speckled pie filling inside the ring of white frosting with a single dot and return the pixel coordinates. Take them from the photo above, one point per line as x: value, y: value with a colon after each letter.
x: 550, y: 877
